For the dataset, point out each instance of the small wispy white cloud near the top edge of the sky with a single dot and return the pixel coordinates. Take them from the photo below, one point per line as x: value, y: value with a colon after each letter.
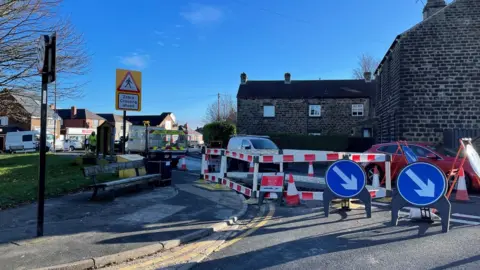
x: 201, y: 14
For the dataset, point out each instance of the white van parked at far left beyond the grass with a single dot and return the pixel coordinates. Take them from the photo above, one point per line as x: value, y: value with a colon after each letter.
x: 22, y: 141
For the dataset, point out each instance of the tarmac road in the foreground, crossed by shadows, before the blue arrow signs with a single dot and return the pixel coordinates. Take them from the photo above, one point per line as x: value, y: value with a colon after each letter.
x: 302, y: 238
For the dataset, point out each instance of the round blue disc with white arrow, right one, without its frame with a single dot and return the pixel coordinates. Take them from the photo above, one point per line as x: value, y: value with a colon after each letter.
x: 421, y: 183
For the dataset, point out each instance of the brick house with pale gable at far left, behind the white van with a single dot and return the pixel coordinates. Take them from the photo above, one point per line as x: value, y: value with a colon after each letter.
x: 21, y: 111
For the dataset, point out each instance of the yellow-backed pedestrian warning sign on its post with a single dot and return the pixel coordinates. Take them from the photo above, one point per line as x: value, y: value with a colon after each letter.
x: 128, y: 95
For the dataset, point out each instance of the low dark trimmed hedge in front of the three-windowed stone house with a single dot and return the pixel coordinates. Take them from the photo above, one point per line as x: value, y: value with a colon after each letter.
x: 327, y: 143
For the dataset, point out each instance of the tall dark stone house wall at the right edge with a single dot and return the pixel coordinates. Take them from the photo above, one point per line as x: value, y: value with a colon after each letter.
x: 429, y: 80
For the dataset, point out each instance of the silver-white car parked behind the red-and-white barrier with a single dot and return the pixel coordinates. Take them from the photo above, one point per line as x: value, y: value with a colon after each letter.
x: 250, y: 143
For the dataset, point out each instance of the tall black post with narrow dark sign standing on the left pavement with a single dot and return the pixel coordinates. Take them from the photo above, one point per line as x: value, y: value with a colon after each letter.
x: 46, y: 68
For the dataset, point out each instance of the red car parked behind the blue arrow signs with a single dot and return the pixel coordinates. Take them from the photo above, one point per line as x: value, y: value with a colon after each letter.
x: 425, y: 152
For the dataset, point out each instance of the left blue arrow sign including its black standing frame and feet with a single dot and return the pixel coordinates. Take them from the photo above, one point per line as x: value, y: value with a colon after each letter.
x: 346, y: 180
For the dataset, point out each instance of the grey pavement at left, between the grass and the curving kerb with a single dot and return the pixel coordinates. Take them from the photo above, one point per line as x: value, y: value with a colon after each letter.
x: 77, y: 228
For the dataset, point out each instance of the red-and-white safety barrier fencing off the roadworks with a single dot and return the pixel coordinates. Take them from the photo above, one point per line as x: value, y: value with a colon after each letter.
x: 257, y: 157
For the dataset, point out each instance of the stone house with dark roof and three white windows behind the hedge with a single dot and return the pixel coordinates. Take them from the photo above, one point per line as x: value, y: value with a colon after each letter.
x: 315, y: 107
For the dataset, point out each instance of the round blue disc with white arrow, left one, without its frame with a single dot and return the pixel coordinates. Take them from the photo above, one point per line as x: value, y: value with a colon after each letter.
x: 345, y: 178
